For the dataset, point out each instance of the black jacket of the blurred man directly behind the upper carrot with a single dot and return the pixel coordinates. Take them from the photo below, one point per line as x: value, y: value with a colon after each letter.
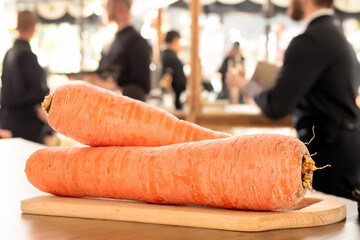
x: 129, y: 56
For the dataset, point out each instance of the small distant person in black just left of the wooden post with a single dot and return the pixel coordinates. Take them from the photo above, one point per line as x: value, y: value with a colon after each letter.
x: 172, y: 67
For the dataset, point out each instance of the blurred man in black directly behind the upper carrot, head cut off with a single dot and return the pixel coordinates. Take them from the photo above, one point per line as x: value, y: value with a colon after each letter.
x: 126, y: 60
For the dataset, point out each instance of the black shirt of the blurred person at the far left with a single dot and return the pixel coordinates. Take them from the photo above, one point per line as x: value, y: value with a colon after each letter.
x: 23, y: 80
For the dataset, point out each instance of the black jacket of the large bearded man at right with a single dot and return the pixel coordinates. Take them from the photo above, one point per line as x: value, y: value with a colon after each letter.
x: 319, y: 79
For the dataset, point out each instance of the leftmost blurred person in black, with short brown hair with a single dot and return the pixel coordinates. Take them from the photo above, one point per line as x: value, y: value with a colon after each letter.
x: 24, y: 86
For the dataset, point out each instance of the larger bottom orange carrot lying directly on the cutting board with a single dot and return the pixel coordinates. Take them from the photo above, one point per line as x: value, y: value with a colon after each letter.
x: 257, y: 172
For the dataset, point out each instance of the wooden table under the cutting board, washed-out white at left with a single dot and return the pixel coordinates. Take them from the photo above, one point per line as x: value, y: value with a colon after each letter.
x: 15, y: 225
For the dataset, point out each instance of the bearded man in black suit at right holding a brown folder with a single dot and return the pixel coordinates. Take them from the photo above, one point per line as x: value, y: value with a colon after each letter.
x: 319, y: 83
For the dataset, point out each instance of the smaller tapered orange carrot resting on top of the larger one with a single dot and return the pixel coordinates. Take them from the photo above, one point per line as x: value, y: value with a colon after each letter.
x: 98, y: 117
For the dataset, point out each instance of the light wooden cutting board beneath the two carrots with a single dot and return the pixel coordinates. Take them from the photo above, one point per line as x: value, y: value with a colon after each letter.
x: 313, y: 210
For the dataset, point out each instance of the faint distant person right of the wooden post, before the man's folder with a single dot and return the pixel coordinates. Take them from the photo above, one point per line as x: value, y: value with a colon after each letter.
x: 229, y: 63
